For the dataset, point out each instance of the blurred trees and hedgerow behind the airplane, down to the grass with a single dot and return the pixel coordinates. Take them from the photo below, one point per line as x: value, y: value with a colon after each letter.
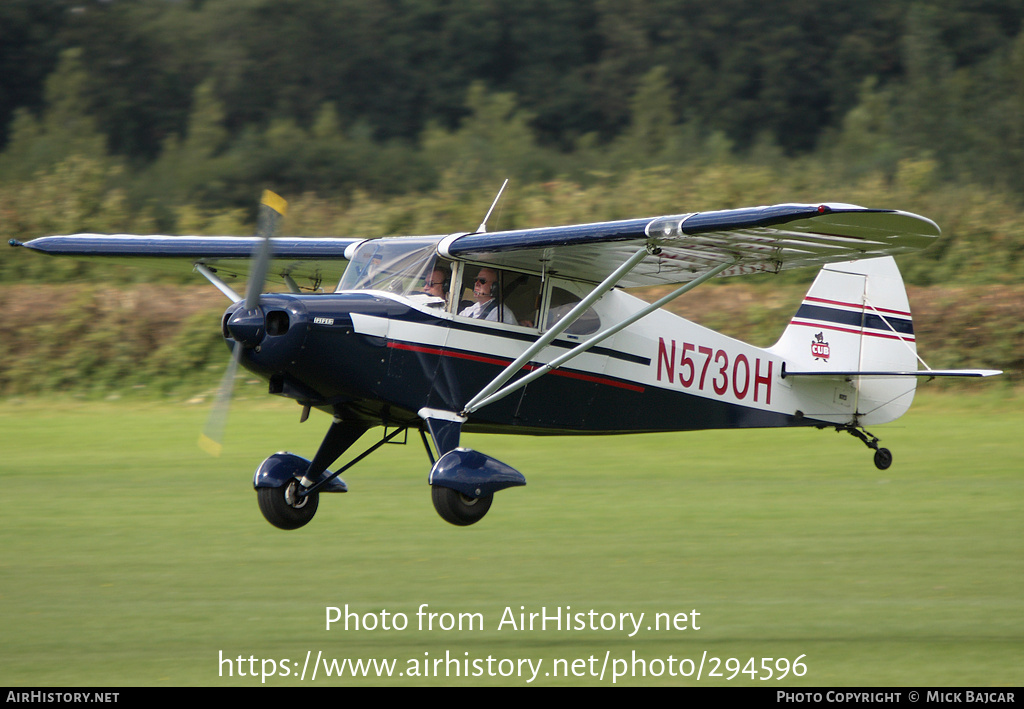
x: 405, y: 116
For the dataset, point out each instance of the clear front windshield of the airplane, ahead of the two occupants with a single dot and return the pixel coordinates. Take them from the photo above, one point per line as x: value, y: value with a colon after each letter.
x: 397, y: 266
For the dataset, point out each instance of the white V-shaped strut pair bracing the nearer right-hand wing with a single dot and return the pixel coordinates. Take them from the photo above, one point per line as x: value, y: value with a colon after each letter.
x: 491, y: 393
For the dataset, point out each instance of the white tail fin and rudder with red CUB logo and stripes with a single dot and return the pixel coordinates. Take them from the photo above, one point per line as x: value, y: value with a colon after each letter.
x: 856, y: 318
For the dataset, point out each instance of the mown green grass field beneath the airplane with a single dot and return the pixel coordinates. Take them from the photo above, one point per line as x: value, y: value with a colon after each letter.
x: 129, y: 558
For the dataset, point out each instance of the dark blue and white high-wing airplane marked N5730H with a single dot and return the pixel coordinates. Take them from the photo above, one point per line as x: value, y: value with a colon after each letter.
x: 529, y: 331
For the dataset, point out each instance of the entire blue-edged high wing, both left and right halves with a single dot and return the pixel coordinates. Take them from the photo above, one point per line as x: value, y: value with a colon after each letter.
x: 681, y: 247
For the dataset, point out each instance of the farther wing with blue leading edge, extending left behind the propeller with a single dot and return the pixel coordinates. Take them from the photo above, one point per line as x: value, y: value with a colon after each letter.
x: 307, y: 261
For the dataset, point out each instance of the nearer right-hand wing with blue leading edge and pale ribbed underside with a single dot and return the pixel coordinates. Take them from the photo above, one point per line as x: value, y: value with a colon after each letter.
x: 753, y: 240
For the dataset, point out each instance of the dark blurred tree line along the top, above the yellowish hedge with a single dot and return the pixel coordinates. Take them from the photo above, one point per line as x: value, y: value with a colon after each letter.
x: 337, y: 95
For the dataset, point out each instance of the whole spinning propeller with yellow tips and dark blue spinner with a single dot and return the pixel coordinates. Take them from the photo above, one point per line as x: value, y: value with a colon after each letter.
x: 246, y: 325
